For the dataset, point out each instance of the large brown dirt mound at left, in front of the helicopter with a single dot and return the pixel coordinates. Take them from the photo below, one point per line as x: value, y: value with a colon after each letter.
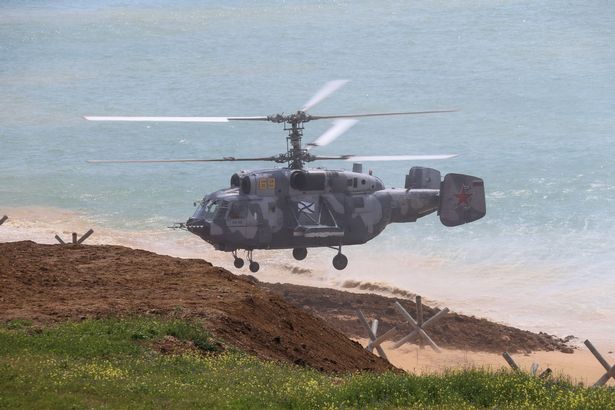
x: 48, y: 283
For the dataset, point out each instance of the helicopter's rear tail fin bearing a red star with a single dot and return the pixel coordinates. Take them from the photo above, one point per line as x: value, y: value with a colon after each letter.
x: 462, y: 199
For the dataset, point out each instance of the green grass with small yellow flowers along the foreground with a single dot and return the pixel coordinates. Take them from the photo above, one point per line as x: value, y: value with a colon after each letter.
x: 110, y: 363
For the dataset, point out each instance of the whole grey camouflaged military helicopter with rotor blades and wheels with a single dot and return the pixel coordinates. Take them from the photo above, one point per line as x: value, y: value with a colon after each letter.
x: 295, y: 207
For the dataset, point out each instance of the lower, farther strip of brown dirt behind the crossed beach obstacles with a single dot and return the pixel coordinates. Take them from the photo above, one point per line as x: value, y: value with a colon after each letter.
x: 453, y: 330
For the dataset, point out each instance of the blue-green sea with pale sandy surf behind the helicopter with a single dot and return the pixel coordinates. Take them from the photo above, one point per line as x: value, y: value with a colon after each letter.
x: 533, y: 80
